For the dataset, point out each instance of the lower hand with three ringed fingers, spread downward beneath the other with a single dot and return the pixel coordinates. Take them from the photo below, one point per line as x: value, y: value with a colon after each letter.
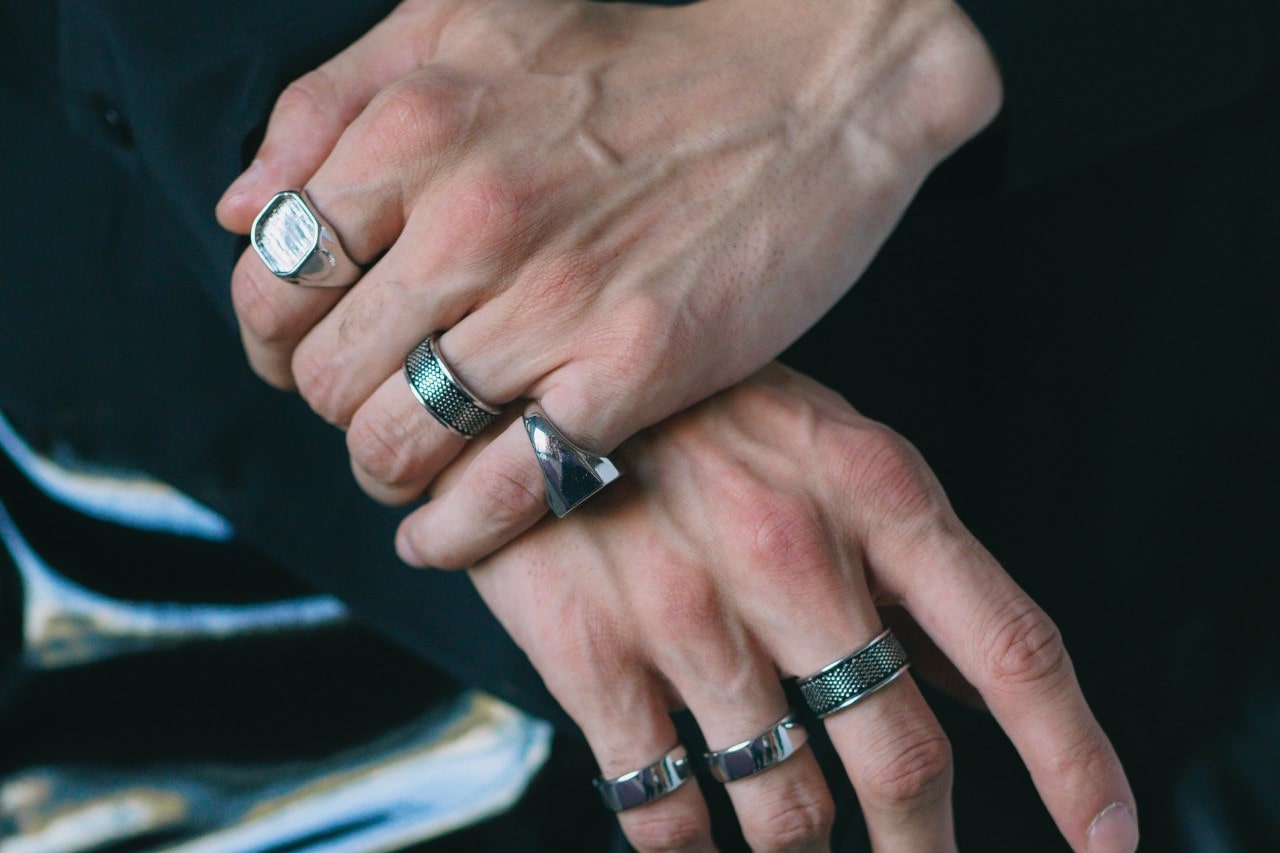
x: 755, y: 539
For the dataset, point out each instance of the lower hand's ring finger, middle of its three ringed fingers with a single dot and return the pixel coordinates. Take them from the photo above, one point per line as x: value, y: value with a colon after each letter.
x: 734, y: 692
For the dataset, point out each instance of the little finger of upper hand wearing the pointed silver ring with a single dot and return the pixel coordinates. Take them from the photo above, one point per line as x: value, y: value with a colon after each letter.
x: 499, y: 496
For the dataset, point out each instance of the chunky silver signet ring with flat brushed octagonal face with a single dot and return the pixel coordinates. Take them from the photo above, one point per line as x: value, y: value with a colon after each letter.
x: 298, y: 245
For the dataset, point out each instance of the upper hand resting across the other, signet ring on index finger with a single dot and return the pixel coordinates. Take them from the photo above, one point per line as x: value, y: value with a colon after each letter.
x: 615, y: 209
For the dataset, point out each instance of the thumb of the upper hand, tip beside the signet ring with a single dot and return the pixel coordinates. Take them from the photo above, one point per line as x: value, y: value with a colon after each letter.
x: 313, y: 112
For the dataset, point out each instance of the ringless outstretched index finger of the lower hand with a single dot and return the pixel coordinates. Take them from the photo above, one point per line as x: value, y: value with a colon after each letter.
x: 1012, y: 653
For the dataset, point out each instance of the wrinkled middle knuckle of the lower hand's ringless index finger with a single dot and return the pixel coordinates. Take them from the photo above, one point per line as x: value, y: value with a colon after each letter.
x: 1025, y: 647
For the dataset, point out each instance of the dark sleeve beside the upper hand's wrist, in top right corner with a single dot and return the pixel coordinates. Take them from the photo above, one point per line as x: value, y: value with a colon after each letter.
x: 1087, y: 79
